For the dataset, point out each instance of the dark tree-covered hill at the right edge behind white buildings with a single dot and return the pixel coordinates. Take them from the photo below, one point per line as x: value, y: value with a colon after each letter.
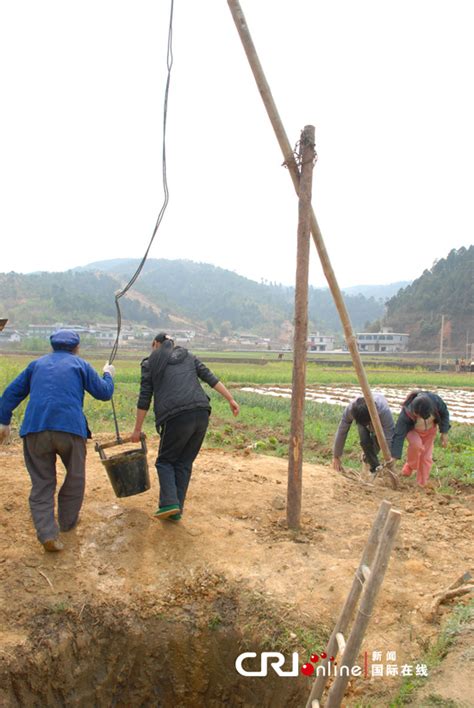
x: 446, y: 289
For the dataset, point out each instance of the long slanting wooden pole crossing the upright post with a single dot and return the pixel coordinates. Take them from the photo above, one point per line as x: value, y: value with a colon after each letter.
x: 290, y: 162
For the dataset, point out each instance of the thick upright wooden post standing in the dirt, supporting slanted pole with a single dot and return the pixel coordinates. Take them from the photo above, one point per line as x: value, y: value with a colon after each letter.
x: 300, y: 339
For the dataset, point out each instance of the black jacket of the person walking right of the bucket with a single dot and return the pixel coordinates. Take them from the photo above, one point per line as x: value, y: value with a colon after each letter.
x: 178, y: 388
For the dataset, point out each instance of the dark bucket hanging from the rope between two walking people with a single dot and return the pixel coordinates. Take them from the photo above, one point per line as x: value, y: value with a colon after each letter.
x: 128, y: 471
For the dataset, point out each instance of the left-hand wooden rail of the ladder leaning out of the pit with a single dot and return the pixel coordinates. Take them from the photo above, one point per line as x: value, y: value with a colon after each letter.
x: 352, y: 599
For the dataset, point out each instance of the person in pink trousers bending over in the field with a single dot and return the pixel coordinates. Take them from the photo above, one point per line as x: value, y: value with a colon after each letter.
x: 423, y: 414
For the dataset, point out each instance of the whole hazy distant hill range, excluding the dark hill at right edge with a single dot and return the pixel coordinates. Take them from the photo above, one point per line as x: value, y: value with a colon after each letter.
x: 171, y: 293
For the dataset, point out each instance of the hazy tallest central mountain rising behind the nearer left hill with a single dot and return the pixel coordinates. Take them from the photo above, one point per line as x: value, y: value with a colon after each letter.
x: 208, y: 294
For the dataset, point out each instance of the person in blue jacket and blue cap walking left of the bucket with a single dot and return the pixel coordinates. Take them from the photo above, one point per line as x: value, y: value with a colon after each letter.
x: 54, y: 424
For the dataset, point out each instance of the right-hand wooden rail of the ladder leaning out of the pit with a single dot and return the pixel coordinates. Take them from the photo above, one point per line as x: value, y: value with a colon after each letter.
x: 371, y: 589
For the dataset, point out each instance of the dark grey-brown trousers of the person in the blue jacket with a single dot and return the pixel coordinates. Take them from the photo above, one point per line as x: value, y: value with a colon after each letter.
x: 40, y: 451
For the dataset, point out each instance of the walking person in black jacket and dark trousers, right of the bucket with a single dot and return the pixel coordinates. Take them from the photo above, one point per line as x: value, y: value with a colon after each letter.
x: 170, y: 375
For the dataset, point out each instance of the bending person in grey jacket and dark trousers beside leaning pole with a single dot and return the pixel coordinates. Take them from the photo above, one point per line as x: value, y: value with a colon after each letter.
x: 357, y: 411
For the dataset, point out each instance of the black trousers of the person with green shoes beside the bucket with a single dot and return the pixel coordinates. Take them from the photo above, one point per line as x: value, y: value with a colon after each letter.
x: 181, y: 440
